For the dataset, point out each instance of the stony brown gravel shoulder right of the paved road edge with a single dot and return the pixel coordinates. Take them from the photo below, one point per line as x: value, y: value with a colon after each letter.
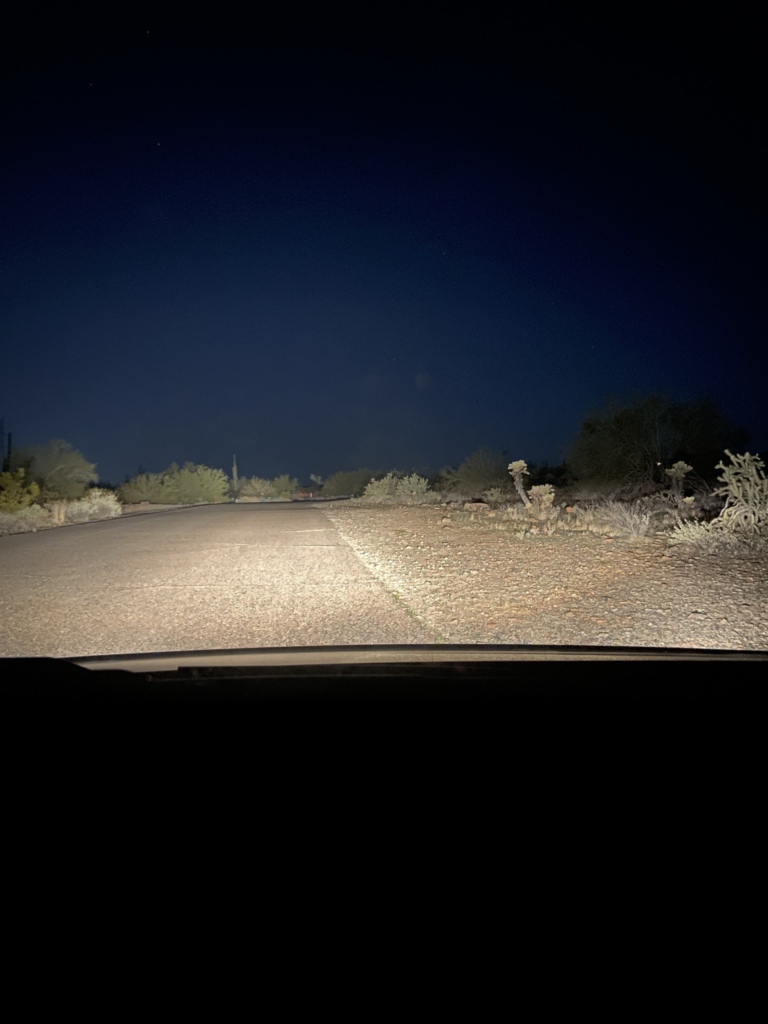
x: 471, y: 582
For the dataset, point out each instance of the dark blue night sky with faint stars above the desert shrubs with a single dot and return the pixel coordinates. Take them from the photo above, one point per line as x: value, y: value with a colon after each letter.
x: 324, y: 246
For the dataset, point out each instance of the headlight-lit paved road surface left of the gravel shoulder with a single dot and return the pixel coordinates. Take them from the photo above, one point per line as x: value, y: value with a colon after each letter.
x: 196, y: 579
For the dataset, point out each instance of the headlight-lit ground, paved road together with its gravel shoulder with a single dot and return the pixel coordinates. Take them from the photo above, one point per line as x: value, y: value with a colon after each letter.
x: 294, y: 575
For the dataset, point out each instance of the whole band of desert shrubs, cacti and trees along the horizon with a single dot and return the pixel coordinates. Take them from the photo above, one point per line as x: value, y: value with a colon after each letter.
x: 645, y: 468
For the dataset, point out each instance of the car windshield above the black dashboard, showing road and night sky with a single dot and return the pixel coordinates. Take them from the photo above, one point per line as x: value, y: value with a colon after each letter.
x: 321, y: 334
